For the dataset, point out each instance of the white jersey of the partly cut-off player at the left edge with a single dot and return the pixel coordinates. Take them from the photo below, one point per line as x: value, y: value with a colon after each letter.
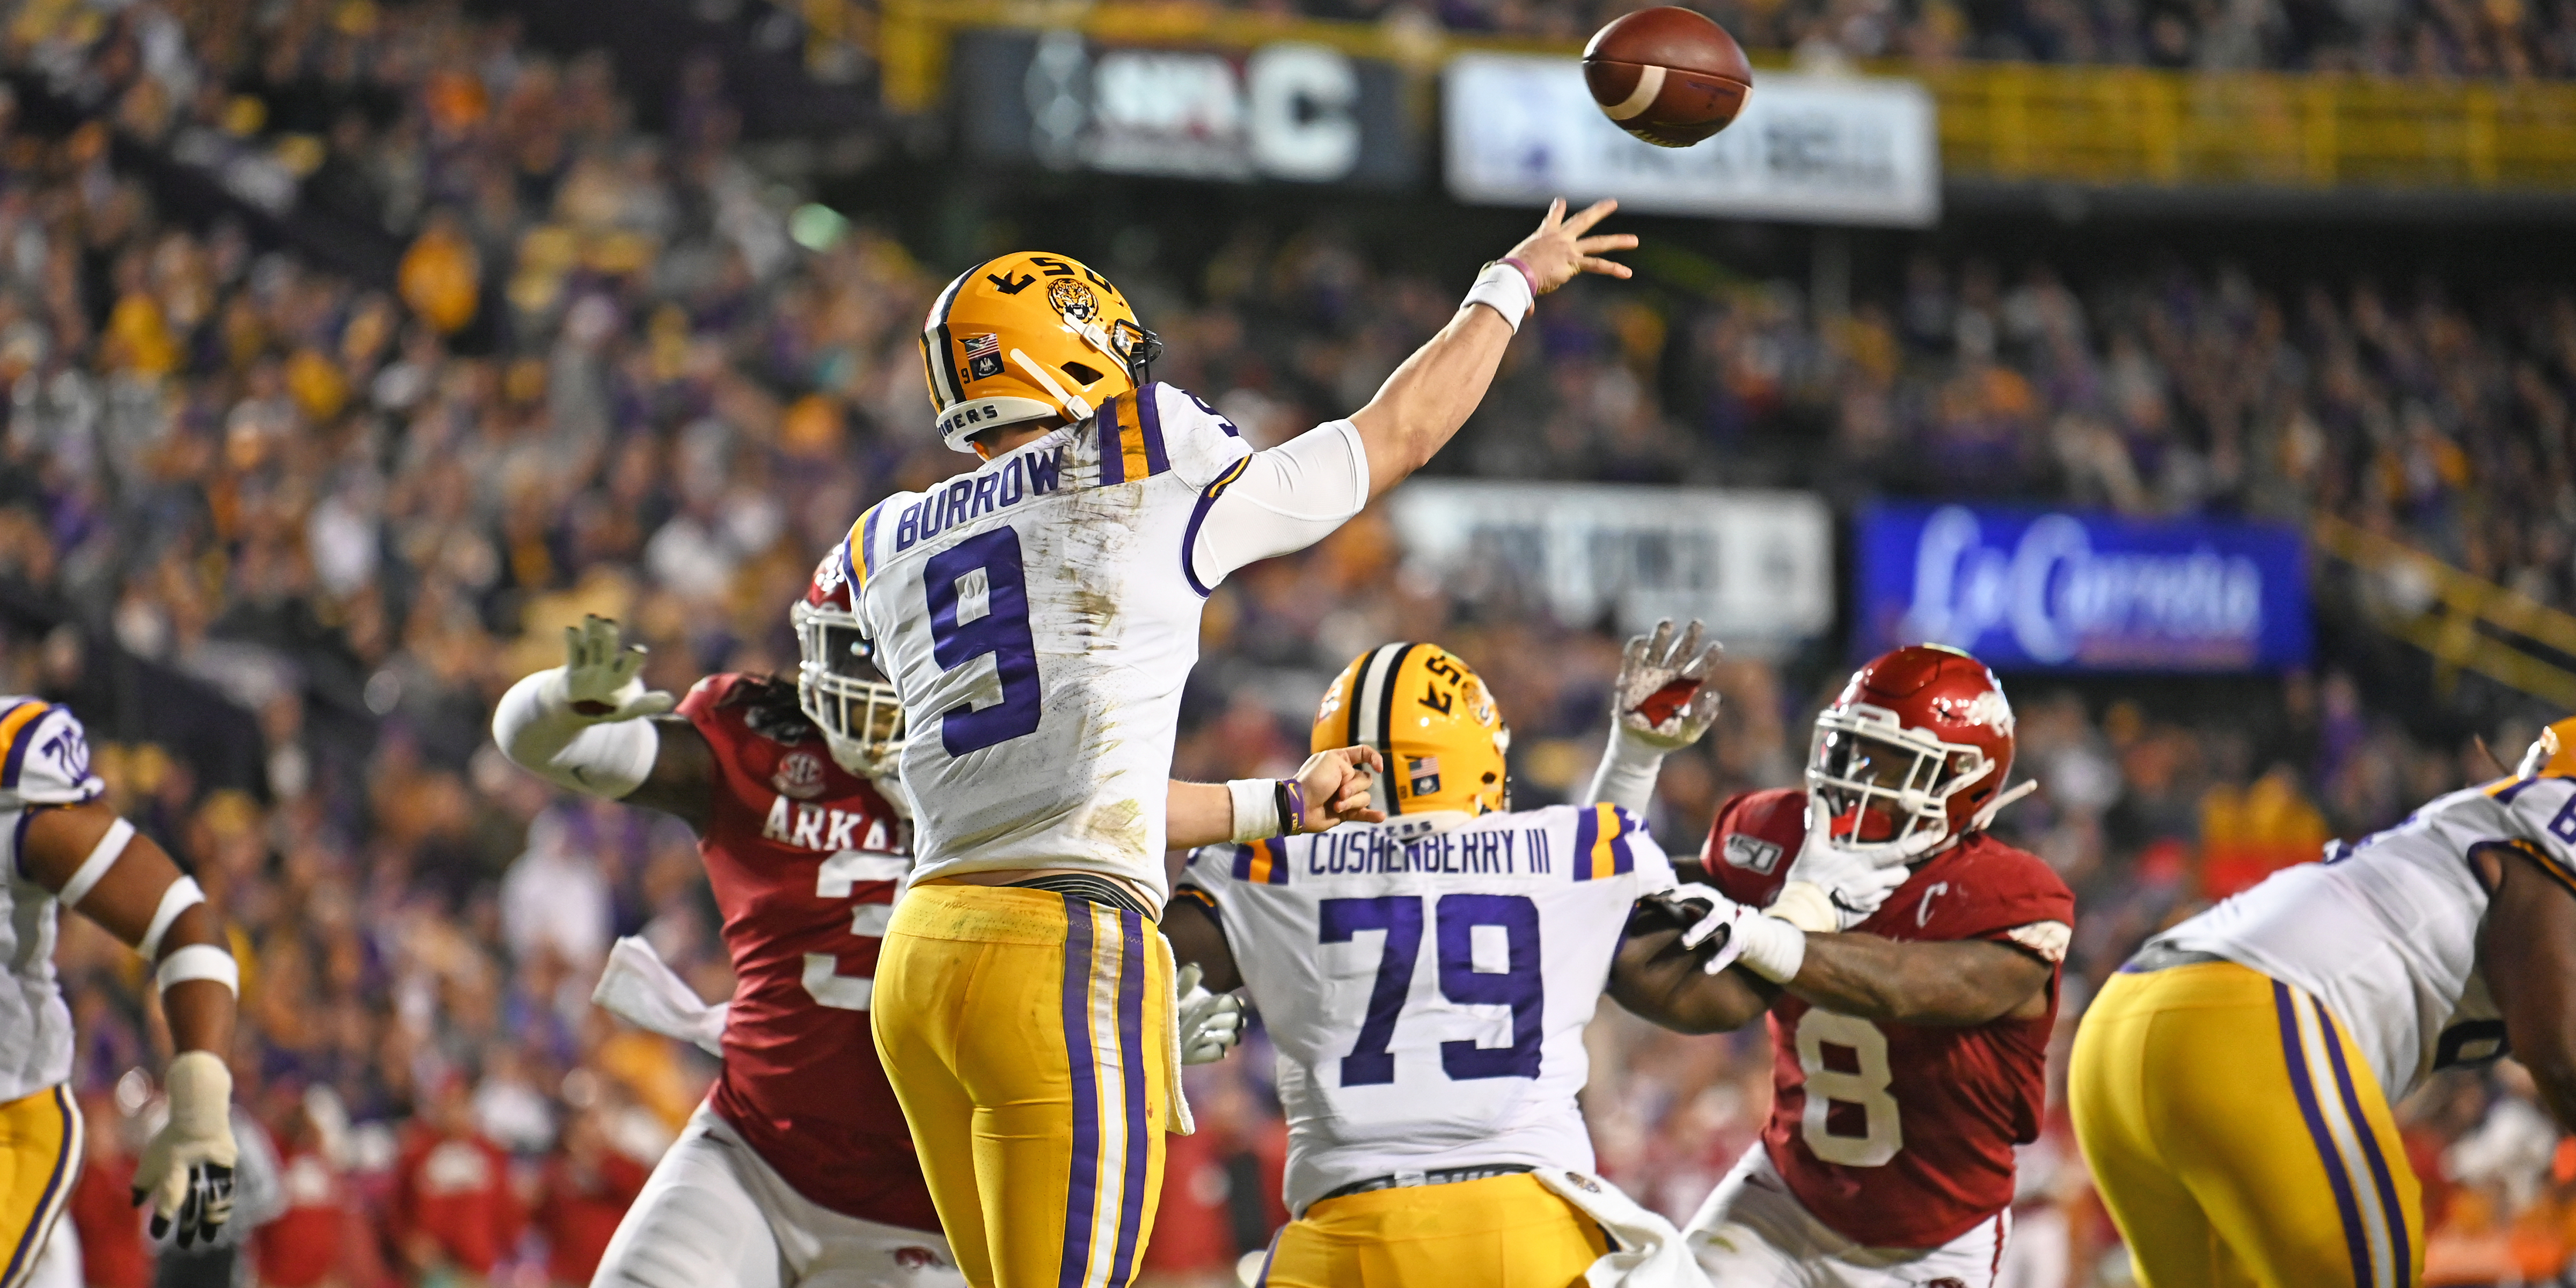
x: 45, y: 761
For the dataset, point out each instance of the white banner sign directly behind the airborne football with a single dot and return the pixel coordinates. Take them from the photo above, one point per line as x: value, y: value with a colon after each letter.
x: 1825, y: 151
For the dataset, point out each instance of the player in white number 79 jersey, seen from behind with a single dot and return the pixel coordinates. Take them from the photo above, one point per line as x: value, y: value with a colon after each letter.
x: 1428, y: 985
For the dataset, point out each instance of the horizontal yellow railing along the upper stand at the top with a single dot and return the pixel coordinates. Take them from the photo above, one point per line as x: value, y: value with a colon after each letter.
x: 1998, y: 120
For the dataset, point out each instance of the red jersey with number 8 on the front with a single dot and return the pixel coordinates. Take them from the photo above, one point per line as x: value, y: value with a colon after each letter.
x: 1902, y: 1135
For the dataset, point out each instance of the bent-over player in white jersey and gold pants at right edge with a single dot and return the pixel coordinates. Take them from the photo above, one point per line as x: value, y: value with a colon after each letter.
x: 2333, y: 990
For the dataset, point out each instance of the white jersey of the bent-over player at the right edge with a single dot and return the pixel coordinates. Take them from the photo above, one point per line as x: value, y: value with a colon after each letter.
x: 2387, y: 931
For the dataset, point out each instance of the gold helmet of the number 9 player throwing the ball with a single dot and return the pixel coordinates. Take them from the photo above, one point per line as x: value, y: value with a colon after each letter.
x: 1029, y: 339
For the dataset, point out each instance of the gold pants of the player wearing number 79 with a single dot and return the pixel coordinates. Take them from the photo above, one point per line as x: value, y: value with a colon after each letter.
x: 1498, y: 1233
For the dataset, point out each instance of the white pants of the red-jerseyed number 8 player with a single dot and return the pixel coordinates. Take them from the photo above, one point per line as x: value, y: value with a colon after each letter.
x: 1753, y: 1233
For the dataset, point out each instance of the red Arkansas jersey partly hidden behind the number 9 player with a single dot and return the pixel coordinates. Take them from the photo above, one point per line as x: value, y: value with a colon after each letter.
x: 805, y: 859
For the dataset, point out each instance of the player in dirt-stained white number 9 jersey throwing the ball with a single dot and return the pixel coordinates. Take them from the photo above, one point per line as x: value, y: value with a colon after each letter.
x: 1039, y: 620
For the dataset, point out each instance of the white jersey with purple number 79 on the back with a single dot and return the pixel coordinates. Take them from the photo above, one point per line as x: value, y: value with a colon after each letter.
x: 1428, y: 998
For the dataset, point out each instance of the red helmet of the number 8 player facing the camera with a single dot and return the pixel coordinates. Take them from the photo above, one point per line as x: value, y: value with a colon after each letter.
x: 1913, y: 753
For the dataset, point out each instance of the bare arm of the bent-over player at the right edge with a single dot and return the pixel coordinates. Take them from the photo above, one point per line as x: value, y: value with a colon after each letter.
x: 2528, y: 952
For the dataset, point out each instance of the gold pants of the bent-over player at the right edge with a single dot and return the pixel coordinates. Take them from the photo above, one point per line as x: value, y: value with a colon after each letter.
x: 2240, y: 1137
